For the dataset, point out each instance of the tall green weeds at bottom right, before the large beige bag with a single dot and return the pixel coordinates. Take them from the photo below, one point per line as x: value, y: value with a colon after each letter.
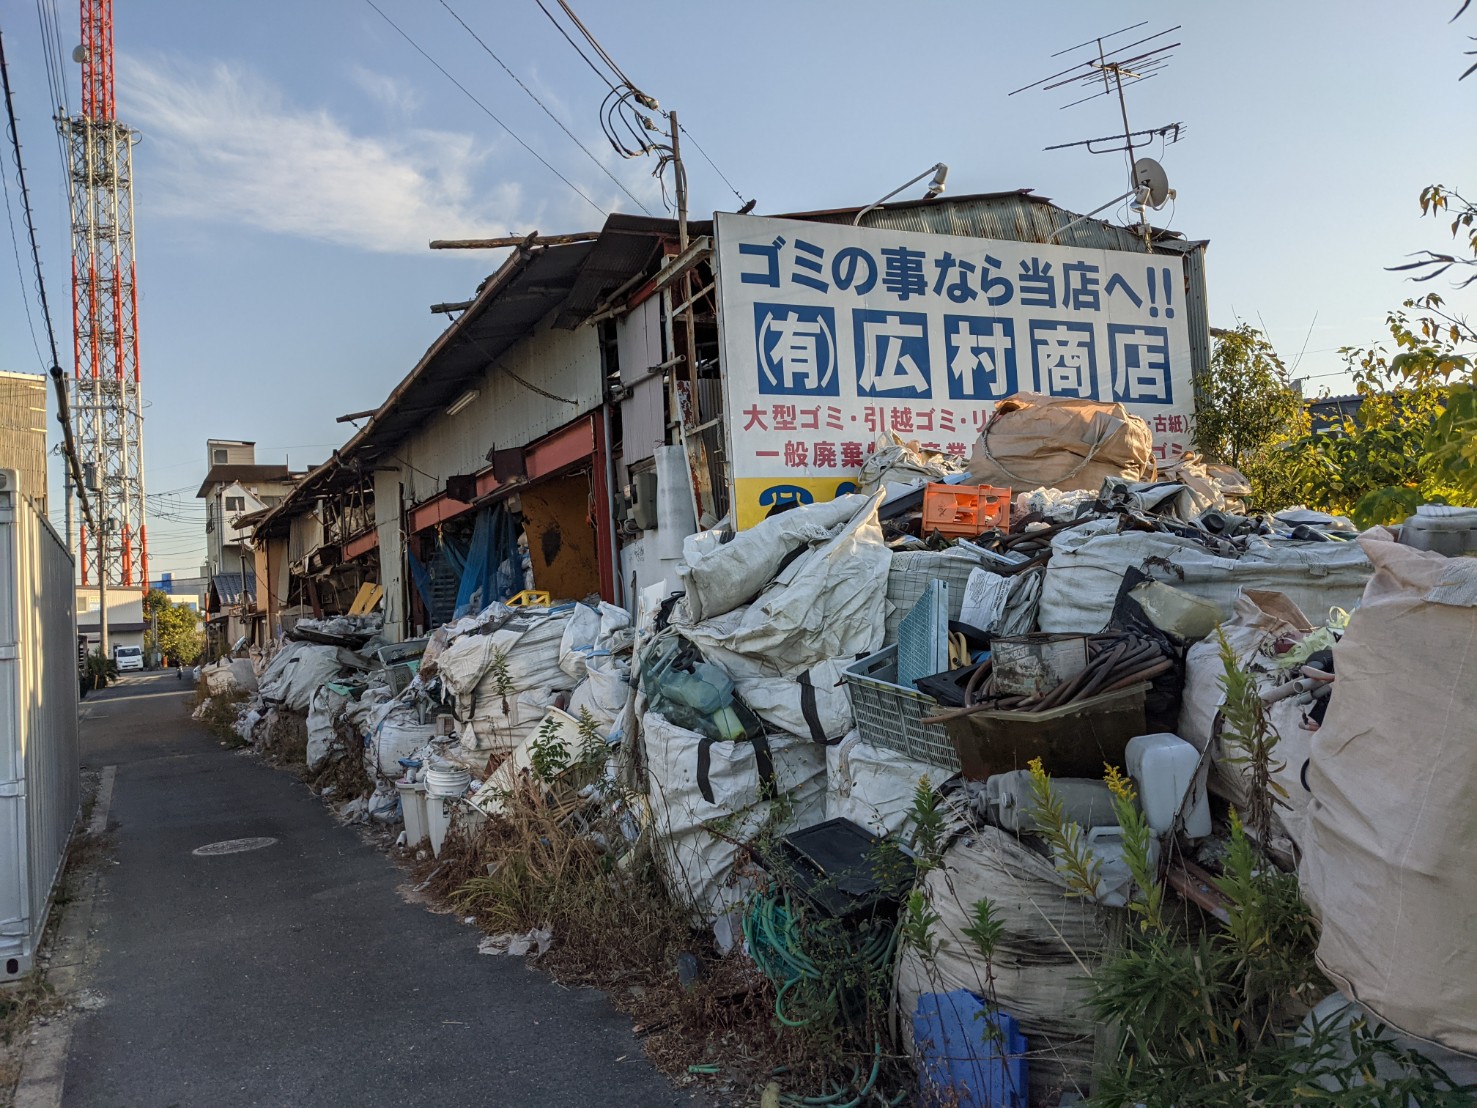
x: 1210, y: 1017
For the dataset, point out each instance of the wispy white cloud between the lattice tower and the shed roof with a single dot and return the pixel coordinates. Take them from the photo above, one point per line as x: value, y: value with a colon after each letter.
x: 228, y: 146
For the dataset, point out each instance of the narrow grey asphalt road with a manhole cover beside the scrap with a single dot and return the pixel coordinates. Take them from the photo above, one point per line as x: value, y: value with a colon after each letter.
x: 298, y: 974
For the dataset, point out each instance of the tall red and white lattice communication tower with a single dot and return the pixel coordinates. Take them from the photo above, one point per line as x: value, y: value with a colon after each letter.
x: 107, y: 401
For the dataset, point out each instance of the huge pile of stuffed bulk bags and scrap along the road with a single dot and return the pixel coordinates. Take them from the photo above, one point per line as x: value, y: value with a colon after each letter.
x: 943, y: 668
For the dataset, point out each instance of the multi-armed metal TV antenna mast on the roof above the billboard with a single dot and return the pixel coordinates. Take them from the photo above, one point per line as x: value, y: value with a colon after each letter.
x: 1106, y: 73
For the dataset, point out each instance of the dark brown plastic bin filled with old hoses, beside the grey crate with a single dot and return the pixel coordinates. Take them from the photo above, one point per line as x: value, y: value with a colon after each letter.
x: 1073, y: 741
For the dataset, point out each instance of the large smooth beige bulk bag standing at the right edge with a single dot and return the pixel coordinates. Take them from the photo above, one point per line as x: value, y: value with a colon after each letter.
x: 1388, y: 859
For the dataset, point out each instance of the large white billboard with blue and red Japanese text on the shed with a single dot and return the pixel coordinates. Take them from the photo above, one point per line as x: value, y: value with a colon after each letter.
x: 835, y: 335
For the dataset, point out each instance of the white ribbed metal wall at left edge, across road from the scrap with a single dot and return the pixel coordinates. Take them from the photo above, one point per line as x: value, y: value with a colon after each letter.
x: 39, y: 748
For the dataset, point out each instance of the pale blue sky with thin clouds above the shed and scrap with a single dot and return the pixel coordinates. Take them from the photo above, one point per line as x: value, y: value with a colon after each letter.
x: 296, y: 159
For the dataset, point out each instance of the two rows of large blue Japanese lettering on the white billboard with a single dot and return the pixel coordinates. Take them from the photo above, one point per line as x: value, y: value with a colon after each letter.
x: 1067, y: 314
